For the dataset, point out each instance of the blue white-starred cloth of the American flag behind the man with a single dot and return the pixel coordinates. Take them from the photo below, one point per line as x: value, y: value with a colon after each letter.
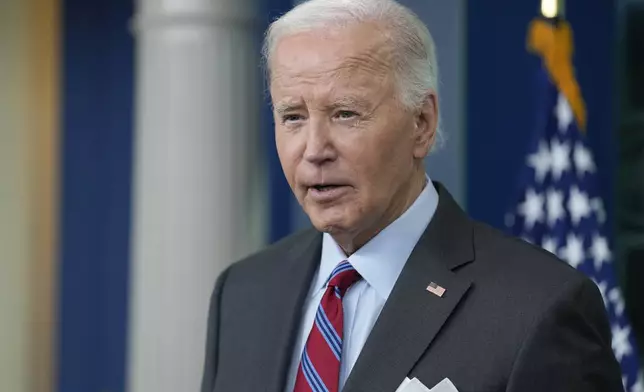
x: 560, y: 208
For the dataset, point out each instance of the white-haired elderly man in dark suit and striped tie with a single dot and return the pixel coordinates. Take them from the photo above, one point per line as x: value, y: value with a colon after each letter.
x: 394, y: 282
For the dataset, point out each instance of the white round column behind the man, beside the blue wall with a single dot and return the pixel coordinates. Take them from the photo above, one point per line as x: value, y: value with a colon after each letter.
x: 198, y: 188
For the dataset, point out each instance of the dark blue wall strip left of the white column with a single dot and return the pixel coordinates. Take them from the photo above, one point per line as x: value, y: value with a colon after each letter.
x: 95, y: 212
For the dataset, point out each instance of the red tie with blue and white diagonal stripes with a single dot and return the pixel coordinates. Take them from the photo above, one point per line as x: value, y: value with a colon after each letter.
x: 319, y: 369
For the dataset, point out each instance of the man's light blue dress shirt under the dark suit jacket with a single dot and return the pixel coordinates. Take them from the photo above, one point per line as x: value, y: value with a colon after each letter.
x: 379, y: 262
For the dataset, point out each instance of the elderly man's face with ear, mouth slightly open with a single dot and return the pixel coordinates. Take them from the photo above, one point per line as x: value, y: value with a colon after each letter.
x: 347, y: 146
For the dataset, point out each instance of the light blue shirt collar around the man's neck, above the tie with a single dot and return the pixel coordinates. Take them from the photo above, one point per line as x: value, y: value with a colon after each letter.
x: 381, y: 260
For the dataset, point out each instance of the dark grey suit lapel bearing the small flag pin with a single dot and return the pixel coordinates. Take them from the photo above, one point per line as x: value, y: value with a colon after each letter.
x: 413, y: 316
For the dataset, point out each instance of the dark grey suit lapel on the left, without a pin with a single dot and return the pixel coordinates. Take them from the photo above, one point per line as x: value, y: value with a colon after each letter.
x: 292, y: 289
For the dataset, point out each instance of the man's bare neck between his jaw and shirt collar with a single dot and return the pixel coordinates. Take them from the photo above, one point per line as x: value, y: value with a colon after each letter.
x: 350, y: 242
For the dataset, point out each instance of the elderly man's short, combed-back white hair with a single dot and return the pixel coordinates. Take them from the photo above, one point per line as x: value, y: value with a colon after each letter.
x: 416, y: 67
